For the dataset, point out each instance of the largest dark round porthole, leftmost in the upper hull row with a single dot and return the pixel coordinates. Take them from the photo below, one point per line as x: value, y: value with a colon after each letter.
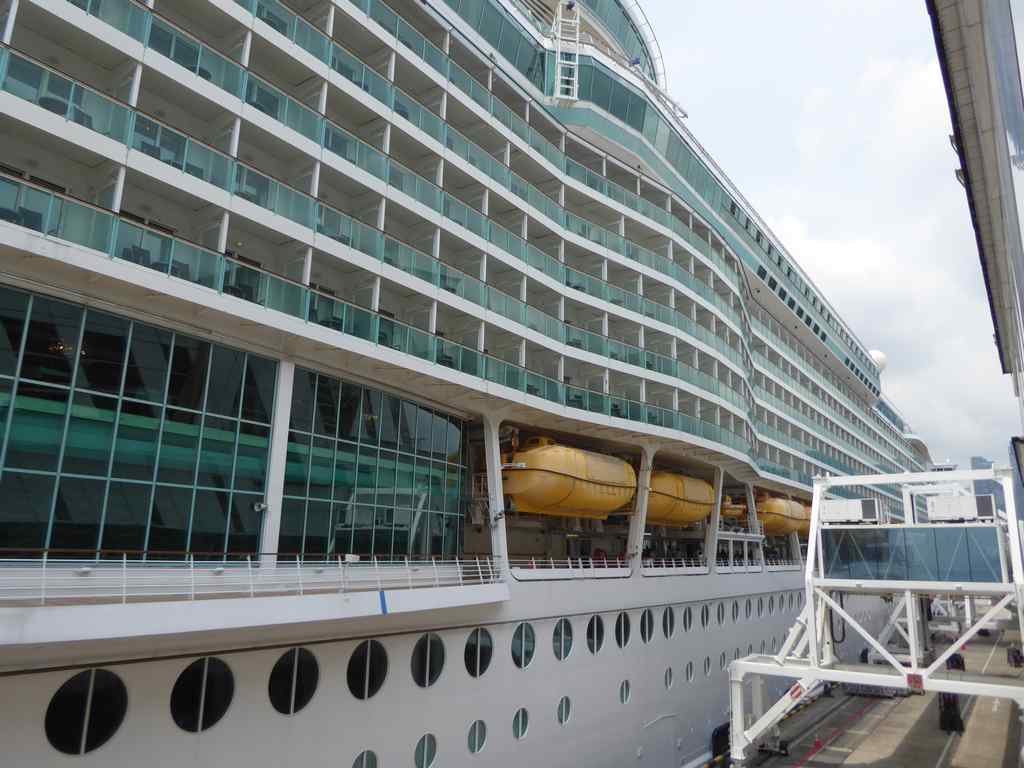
x: 87, y: 712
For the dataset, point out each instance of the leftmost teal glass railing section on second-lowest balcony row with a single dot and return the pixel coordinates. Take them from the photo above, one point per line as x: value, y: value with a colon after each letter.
x: 66, y: 99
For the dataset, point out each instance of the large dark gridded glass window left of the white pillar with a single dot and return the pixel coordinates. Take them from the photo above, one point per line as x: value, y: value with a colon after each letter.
x: 118, y: 442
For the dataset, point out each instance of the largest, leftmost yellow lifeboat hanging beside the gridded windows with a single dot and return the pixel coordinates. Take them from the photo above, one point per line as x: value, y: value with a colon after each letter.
x: 550, y: 480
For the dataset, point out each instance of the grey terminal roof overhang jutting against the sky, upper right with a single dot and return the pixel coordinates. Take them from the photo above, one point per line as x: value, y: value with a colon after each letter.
x: 960, y: 42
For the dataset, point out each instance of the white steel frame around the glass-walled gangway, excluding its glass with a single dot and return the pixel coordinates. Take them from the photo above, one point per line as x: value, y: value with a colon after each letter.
x: 808, y: 655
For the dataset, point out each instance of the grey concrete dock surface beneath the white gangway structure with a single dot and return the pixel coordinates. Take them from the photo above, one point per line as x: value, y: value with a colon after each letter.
x: 904, y: 733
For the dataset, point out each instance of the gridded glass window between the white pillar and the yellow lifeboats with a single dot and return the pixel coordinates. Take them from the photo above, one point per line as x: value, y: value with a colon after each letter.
x: 370, y: 475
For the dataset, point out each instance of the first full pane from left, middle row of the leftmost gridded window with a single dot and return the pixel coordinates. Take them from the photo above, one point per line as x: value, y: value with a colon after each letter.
x: 37, y: 428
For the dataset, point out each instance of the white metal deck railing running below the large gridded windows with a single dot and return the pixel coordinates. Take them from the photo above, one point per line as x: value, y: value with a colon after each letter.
x: 50, y: 581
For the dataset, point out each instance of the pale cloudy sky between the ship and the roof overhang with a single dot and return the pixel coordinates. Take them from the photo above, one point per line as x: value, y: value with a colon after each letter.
x: 831, y: 118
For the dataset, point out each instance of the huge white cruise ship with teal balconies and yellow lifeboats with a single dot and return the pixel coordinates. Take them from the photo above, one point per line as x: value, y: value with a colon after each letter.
x: 394, y: 385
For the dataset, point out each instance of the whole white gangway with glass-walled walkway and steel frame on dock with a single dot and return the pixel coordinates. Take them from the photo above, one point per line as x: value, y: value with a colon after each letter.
x: 949, y: 549
